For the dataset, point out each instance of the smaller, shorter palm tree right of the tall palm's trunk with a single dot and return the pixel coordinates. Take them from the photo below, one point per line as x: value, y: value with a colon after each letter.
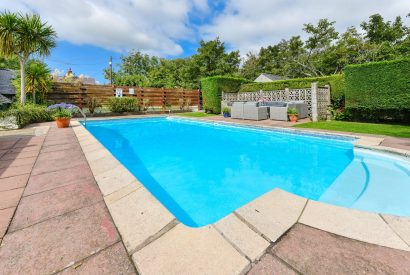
x: 38, y: 78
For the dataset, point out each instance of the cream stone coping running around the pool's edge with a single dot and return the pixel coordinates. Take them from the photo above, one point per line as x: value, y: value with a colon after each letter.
x: 155, y: 239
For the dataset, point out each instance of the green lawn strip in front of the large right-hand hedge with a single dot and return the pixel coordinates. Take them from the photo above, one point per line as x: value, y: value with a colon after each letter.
x: 357, y: 127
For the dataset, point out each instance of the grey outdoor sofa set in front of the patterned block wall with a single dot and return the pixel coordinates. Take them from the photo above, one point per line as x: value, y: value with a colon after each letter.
x: 275, y: 110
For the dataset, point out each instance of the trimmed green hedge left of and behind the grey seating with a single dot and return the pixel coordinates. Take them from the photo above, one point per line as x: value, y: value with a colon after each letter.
x: 212, y: 88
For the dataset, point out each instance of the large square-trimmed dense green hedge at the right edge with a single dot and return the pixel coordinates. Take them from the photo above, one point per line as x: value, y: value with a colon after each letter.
x: 379, y: 91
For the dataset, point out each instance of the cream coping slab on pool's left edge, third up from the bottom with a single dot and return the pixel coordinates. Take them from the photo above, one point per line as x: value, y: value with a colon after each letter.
x: 114, y: 179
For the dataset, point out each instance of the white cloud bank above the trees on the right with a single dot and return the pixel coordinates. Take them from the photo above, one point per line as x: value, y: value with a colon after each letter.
x: 248, y: 25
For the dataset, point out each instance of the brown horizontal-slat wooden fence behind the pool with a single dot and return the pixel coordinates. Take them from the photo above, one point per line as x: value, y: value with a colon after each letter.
x: 79, y: 93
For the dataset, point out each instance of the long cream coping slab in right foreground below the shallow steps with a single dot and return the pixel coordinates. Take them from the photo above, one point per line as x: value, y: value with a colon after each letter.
x: 354, y: 224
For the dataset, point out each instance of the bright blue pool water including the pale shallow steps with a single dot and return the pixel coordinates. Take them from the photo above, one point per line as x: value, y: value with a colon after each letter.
x: 203, y: 171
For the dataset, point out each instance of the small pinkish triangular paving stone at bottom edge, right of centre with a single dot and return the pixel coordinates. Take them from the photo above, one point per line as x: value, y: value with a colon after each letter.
x: 271, y: 265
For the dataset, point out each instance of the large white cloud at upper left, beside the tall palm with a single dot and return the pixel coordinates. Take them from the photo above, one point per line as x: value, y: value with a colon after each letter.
x: 153, y: 26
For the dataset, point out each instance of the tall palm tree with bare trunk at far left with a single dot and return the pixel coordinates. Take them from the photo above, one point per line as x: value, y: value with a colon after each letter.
x: 23, y: 36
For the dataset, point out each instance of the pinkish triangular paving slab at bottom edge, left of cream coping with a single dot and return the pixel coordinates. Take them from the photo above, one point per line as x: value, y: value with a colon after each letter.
x: 113, y: 260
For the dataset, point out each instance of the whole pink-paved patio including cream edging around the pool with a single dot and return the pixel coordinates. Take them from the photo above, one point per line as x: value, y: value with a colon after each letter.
x: 68, y: 206
